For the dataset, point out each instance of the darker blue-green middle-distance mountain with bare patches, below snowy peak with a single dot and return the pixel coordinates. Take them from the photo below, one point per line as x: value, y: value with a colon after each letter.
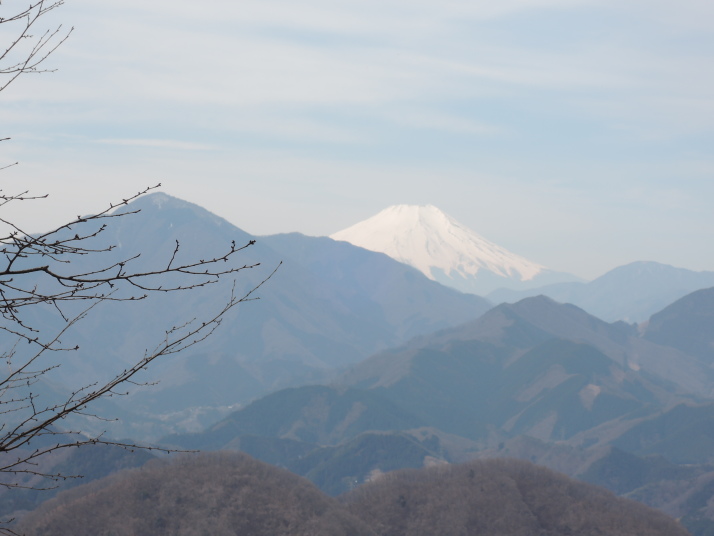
x: 538, y: 368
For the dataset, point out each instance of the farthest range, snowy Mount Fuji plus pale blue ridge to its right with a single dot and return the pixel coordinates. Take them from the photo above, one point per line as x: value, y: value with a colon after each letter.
x: 450, y: 253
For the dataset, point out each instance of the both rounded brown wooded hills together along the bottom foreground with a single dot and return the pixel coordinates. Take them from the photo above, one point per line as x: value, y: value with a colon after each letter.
x: 225, y: 494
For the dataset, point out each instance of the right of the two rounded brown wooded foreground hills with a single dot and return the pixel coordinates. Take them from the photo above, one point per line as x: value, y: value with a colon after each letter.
x: 499, y: 498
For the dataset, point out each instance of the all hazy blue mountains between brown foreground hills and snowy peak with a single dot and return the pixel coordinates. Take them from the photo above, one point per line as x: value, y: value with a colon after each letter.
x: 352, y: 364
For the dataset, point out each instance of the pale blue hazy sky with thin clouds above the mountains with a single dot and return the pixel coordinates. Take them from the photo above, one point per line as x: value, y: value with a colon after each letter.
x: 576, y: 133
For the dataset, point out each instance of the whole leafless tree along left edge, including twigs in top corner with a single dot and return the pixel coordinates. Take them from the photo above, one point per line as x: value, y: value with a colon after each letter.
x: 42, y: 271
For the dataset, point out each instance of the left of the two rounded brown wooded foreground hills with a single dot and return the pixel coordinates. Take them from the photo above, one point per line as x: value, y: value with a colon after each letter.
x: 218, y: 494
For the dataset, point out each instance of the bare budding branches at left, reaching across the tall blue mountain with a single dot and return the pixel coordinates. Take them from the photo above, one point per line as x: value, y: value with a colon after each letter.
x: 19, y: 289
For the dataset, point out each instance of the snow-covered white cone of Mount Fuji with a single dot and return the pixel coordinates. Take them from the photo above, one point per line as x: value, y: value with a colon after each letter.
x: 446, y: 251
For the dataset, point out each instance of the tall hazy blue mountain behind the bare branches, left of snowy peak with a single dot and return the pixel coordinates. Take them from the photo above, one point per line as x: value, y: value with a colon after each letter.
x: 327, y: 307
